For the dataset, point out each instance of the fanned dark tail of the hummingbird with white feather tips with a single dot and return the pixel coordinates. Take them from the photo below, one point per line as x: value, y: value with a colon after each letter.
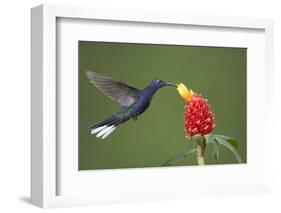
x: 105, y: 128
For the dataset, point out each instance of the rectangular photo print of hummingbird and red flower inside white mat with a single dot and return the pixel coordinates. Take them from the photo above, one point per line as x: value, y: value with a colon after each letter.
x: 154, y: 105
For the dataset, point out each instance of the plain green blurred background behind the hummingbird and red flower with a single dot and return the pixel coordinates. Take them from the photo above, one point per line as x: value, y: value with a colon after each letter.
x: 218, y: 74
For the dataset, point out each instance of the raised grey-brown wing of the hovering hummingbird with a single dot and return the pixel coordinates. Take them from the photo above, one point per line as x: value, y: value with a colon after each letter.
x: 122, y: 93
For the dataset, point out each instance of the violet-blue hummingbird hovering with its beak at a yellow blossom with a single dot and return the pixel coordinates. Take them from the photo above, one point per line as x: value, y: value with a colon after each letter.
x: 133, y: 102
